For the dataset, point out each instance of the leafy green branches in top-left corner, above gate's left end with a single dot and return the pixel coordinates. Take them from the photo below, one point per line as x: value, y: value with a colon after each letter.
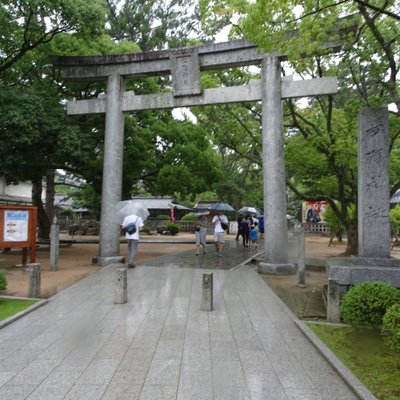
x: 28, y: 25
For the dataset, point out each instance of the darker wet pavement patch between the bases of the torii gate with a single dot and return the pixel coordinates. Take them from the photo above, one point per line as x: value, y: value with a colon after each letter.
x: 234, y: 254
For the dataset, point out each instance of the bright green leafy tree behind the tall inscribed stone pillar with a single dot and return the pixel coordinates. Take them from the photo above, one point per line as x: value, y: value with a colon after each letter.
x: 321, y: 140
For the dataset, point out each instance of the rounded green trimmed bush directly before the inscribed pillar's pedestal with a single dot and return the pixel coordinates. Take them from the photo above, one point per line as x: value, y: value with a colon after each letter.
x: 364, y: 305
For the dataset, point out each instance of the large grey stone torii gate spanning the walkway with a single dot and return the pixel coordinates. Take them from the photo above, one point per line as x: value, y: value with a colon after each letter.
x: 185, y: 65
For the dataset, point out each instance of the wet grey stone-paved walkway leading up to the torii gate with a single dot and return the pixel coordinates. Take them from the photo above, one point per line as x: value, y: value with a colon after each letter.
x: 161, y: 346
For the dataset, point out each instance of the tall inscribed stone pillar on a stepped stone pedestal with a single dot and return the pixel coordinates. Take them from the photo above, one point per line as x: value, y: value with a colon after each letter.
x: 373, y: 262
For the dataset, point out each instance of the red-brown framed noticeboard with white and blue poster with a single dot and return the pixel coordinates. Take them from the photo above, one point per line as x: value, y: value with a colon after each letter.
x: 18, y: 228
